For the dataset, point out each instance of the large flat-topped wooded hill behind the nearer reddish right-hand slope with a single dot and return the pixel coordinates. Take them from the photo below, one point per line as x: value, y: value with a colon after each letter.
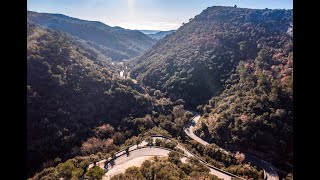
x: 194, y: 62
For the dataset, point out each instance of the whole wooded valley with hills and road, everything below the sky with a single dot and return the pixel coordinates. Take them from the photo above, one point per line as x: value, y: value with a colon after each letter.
x: 212, y: 99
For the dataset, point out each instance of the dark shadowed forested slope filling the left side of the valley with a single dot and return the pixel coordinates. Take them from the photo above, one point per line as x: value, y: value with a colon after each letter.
x: 69, y: 94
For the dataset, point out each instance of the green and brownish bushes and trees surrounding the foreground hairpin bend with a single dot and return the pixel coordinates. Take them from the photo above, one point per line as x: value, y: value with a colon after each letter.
x: 95, y: 145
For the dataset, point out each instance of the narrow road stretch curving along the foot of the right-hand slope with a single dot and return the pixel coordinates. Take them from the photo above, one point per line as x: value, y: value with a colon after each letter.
x: 270, y: 173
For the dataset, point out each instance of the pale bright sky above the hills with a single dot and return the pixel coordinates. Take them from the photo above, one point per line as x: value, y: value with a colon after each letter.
x: 144, y: 14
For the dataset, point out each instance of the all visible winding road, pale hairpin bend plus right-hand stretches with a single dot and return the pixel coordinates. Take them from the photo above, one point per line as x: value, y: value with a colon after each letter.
x: 138, y: 155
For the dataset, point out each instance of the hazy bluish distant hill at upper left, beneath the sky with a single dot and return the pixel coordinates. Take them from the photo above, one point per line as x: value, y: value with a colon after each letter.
x: 113, y: 42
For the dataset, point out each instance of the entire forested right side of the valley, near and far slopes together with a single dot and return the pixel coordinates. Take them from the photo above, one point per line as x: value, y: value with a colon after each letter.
x: 240, y: 63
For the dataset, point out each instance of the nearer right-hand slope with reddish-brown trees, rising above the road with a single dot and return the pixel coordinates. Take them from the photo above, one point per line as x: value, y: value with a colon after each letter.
x: 255, y: 111
